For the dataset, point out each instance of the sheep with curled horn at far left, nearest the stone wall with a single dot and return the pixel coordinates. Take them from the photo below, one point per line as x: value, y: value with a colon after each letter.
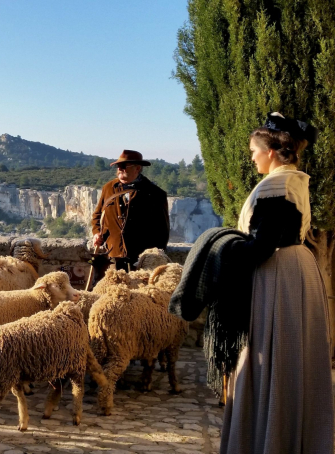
x: 21, y: 270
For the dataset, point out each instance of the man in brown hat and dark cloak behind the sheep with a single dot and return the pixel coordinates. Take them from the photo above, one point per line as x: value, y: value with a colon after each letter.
x: 136, y: 212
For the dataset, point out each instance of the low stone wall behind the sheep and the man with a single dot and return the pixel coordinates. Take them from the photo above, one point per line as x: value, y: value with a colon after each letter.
x: 72, y: 255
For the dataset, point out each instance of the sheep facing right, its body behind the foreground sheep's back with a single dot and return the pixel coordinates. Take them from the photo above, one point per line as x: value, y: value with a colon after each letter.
x: 48, y: 291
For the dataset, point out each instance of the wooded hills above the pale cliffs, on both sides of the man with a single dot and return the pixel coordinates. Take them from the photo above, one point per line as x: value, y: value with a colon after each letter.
x: 42, y: 167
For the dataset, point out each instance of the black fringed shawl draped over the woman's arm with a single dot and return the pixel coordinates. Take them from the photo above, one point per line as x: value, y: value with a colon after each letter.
x: 209, y: 279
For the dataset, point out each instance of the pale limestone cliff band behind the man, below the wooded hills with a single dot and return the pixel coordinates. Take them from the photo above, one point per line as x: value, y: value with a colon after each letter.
x: 189, y: 217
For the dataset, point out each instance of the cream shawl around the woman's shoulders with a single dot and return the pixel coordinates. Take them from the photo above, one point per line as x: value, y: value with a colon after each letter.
x: 284, y: 181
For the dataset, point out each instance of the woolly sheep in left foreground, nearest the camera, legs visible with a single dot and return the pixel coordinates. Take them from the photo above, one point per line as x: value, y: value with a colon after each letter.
x: 47, y: 346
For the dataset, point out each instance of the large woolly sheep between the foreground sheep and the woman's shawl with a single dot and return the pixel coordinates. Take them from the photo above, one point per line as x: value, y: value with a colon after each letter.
x: 129, y: 324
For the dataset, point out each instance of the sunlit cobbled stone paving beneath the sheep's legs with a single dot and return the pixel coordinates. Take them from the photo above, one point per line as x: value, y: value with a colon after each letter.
x: 154, y: 423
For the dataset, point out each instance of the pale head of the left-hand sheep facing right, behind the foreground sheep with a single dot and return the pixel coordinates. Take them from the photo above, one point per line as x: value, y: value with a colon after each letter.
x: 56, y: 287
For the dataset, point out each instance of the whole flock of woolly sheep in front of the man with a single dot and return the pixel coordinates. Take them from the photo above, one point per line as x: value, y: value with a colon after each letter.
x: 51, y: 332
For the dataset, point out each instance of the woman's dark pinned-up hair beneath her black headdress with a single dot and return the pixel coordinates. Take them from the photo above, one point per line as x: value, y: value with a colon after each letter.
x: 286, y: 147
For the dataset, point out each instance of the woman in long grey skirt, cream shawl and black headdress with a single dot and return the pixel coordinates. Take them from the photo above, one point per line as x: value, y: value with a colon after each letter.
x: 280, y: 395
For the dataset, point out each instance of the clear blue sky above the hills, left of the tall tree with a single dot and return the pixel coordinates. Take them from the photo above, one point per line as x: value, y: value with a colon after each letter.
x: 95, y: 76
